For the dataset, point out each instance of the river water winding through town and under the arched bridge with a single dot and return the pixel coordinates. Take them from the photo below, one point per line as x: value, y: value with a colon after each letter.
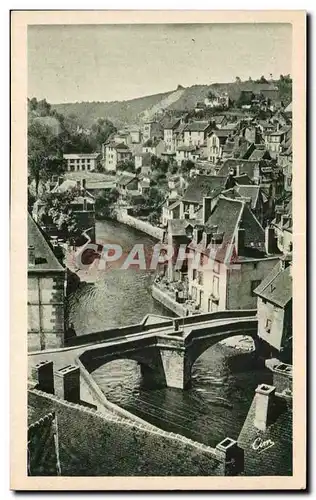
x: 223, y: 380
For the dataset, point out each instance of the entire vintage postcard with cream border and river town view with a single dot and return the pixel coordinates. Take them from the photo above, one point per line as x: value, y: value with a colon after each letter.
x: 158, y: 250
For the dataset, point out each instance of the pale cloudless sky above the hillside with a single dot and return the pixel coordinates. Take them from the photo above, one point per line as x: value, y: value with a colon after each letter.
x: 118, y: 62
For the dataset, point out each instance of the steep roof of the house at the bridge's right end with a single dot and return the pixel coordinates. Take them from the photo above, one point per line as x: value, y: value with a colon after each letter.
x: 277, y: 286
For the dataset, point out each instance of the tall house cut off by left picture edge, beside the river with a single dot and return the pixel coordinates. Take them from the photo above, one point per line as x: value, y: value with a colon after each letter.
x: 46, y: 279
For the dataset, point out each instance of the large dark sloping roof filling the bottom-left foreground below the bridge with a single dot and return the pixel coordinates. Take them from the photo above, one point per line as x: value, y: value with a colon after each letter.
x: 92, y: 444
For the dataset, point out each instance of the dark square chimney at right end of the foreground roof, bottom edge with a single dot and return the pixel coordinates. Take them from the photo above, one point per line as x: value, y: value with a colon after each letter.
x: 231, y: 455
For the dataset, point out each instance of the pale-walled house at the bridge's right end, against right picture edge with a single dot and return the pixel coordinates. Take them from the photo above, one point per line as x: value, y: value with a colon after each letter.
x: 275, y: 309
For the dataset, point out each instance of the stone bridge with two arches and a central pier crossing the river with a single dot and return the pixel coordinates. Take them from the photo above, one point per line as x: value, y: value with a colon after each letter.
x: 166, y: 351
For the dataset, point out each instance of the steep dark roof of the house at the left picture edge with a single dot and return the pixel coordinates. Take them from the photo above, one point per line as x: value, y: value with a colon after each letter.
x: 44, y: 256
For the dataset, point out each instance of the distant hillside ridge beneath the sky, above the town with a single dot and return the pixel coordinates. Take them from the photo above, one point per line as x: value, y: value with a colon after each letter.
x: 144, y: 108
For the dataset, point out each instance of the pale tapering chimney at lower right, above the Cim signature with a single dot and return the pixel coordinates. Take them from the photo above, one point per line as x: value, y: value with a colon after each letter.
x: 264, y: 402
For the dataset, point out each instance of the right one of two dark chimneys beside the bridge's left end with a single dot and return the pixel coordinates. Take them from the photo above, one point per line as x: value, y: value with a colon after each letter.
x: 67, y: 383
